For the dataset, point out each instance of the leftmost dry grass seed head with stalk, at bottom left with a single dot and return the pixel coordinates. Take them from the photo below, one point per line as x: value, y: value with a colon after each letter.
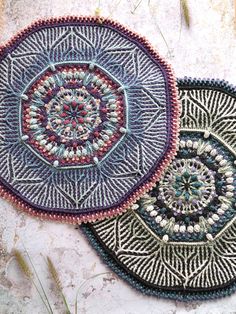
x: 23, y: 265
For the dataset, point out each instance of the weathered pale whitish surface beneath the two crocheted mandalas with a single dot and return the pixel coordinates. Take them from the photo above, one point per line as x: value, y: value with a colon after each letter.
x: 207, y: 49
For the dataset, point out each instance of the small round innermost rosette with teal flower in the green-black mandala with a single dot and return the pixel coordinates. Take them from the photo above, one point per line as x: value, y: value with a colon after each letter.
x: 188, y: 186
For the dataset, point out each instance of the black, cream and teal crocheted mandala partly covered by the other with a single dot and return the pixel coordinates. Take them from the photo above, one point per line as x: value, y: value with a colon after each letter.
x: 179, y: 240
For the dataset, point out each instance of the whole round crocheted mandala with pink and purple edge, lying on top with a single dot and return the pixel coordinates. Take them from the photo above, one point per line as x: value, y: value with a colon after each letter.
x: 88, y: 118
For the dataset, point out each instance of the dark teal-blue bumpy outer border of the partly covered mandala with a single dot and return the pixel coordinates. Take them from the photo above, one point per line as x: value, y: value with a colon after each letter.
x: 105, y: 254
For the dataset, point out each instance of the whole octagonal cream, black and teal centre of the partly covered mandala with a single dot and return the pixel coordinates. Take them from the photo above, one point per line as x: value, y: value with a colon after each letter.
x: 195, y: 197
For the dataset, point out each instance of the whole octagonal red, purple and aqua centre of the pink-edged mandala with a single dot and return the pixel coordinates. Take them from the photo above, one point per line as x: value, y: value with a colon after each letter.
x: 72, y: 115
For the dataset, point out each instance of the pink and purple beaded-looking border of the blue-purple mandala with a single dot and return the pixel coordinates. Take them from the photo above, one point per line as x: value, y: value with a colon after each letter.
x: 170, y: 153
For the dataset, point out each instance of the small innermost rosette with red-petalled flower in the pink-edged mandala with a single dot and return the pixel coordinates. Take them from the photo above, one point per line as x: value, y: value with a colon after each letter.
x: 73, y: 114
